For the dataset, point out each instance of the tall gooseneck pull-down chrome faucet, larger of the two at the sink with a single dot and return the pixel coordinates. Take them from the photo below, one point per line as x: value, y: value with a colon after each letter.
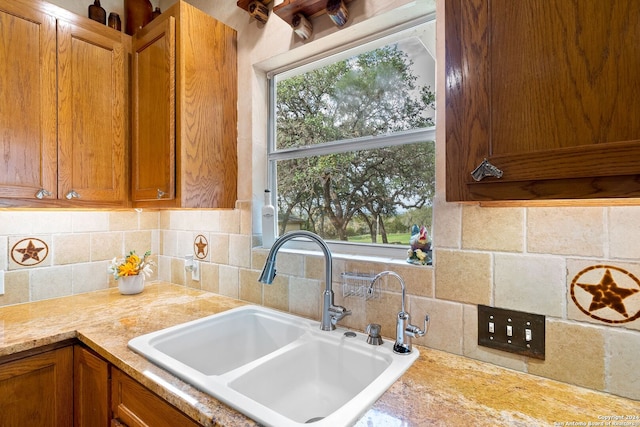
x: 331, y: 313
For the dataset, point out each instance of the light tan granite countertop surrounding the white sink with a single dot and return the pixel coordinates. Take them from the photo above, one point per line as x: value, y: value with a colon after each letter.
x: 440, y: 389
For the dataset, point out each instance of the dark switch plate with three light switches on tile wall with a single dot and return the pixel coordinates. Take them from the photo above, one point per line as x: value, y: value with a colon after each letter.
x: 513, y: 331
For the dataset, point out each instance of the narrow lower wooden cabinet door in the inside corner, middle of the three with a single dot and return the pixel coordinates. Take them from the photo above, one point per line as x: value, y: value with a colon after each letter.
x: 91, y: 386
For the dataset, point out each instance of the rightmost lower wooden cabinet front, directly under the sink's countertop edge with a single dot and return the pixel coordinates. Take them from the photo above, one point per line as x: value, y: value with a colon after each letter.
x: 136, y: 406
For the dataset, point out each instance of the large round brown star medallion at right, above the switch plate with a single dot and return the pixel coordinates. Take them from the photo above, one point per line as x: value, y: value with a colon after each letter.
x: 607, y: 293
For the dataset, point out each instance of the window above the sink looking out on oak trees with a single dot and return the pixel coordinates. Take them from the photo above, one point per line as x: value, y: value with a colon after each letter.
x: 351, y: 152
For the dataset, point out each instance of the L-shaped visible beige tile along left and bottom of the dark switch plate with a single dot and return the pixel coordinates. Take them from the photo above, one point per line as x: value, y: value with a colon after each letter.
x: 473, y: 350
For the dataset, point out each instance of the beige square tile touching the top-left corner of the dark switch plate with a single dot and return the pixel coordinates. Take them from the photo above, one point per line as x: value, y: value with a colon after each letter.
x: 463, y: 276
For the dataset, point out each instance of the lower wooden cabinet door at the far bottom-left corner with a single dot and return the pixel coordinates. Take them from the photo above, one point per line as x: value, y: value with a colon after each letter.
x: 38, y: 390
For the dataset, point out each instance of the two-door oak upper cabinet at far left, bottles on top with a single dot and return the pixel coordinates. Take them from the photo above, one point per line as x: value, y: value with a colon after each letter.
x: 63, y: 110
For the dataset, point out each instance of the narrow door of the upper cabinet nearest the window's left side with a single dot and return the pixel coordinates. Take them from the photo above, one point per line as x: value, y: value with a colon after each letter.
x: 153, y: 166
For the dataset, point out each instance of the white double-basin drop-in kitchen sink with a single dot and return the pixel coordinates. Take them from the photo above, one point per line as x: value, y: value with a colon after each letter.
x: 277, y: 368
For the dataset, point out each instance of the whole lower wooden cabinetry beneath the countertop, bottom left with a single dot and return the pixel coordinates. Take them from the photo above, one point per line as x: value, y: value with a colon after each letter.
x: 73, y: 386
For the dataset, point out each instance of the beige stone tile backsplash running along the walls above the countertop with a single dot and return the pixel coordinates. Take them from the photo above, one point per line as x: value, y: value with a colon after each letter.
x: 539, y: 260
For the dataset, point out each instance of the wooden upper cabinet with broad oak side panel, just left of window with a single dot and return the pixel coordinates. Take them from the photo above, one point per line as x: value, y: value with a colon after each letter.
x: 184, y: 112
